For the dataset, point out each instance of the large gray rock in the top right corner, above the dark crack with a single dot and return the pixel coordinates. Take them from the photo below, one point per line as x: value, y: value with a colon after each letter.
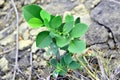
x: 107, y: 13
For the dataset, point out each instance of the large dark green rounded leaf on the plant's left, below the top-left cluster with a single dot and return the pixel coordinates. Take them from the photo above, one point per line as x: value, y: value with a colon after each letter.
x: 43, y: 39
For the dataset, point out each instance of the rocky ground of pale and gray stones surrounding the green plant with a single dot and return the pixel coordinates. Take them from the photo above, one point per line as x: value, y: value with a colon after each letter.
x: 103, y: 35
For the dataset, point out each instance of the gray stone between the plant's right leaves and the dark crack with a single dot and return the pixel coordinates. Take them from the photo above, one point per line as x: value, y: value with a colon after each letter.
x: 96, y: 34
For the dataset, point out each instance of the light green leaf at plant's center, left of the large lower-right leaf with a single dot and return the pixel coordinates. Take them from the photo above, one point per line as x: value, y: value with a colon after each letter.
x: 62, y: 41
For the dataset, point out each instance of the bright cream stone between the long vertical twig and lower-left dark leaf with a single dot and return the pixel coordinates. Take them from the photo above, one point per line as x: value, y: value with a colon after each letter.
x: 24, y: 44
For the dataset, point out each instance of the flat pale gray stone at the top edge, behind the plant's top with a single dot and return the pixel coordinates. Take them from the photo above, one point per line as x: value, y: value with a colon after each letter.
x: 60, y: 6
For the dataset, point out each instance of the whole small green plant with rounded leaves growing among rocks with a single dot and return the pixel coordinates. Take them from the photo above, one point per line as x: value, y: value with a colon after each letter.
x: 59, y: 35
